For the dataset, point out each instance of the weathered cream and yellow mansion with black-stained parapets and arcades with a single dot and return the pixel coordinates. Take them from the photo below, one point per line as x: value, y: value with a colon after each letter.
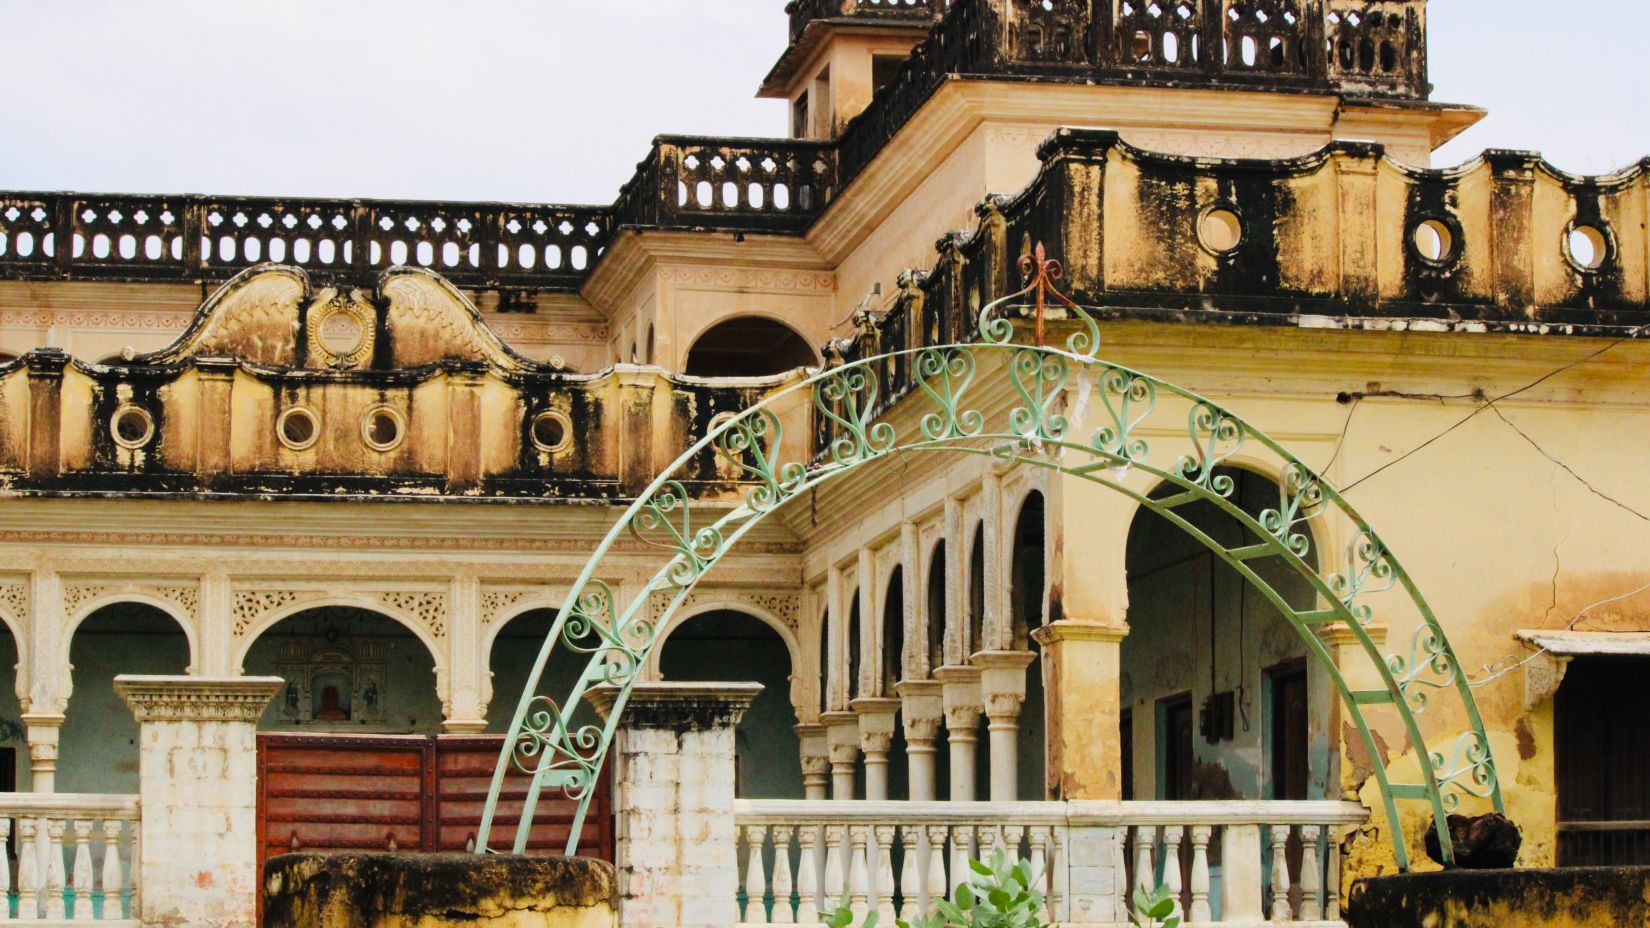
x: 341, y: 462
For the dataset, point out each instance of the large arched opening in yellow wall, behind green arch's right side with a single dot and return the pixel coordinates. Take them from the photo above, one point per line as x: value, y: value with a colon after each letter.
x: 1215, y: 681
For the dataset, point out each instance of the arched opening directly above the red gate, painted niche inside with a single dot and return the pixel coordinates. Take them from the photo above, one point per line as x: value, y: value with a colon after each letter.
x: 347, y: 671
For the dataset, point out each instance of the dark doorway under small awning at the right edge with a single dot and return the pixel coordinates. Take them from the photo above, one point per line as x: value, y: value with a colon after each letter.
x: 1601, y: 719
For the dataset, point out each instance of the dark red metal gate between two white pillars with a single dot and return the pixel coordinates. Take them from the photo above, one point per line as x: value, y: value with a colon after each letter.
x: 334, y: 793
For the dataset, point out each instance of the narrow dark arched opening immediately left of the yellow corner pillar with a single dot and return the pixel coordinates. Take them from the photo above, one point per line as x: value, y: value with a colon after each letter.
x: 1027, y: 572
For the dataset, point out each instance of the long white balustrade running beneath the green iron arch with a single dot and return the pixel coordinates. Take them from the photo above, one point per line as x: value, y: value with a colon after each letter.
x: 1237, y: 863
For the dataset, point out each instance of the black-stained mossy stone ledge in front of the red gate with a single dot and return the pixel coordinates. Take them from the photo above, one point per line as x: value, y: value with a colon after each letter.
x: 428, y: 891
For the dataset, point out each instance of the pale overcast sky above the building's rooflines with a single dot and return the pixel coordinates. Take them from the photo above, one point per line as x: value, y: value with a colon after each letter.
x: 557, y: 100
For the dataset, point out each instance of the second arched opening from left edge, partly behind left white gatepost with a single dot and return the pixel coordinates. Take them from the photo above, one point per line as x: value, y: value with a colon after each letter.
x: 98, y: 747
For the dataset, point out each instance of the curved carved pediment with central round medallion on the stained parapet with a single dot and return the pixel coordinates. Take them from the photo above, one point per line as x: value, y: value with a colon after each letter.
x: 271, y: 316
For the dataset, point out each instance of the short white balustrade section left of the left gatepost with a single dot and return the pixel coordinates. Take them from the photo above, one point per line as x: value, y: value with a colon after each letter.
x: 77, y: 858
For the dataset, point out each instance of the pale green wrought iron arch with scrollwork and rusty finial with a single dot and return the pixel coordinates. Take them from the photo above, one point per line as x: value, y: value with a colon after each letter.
x: 1039, y: 430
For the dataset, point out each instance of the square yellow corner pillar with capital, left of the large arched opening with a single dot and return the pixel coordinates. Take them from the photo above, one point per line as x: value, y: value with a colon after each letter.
x: 1082, y: 675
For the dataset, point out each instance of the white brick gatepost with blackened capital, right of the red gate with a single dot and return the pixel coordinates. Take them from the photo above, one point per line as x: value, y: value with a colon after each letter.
x: 674, y: 802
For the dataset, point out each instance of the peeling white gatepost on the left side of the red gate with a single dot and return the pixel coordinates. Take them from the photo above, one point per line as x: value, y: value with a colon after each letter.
x: 199, y: 792
